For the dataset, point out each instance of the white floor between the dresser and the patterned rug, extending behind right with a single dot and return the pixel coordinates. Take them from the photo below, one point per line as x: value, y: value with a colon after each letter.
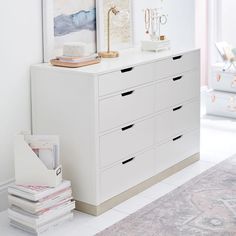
x: 218, y: 139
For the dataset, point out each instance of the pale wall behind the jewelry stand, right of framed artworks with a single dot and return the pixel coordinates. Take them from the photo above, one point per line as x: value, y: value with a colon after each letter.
x: 180, y: 28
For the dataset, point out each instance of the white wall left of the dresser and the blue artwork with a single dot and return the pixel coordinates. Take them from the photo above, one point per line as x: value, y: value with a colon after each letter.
x: 20, y: 46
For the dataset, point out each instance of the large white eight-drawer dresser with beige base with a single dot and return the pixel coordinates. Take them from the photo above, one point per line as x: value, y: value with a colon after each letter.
x: 124, y: 124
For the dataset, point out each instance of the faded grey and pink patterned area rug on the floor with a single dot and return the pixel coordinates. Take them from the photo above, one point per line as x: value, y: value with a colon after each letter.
x: 204, y: 206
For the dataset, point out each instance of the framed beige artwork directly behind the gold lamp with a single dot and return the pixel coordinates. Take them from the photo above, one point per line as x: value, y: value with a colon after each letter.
x: 121, y: 25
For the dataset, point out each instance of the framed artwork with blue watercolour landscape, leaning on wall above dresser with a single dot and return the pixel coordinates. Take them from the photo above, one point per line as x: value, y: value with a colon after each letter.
x: 68, y: 21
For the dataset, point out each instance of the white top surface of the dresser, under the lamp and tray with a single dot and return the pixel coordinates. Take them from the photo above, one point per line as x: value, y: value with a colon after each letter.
x: 128, y: 58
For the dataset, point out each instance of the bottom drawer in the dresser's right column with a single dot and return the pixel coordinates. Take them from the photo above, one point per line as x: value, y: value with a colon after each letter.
x: 176, y: 150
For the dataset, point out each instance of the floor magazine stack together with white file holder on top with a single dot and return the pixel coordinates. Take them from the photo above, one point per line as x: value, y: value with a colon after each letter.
x: 39, y: 199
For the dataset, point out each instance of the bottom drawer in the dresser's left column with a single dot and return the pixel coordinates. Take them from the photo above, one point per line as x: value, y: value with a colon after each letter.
x: 127, y: 174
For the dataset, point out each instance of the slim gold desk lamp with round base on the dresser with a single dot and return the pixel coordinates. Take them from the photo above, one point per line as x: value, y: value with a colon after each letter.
x: 109, y: 53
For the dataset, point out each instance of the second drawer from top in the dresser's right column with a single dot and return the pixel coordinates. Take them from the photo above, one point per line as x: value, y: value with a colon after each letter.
x: 178, y: 89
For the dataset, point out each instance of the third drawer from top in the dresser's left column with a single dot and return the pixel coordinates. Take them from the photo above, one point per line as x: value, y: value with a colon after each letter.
x: 128, y: 140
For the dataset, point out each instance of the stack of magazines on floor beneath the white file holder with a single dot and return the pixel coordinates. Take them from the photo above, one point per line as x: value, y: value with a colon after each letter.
x: 36, y: 209
